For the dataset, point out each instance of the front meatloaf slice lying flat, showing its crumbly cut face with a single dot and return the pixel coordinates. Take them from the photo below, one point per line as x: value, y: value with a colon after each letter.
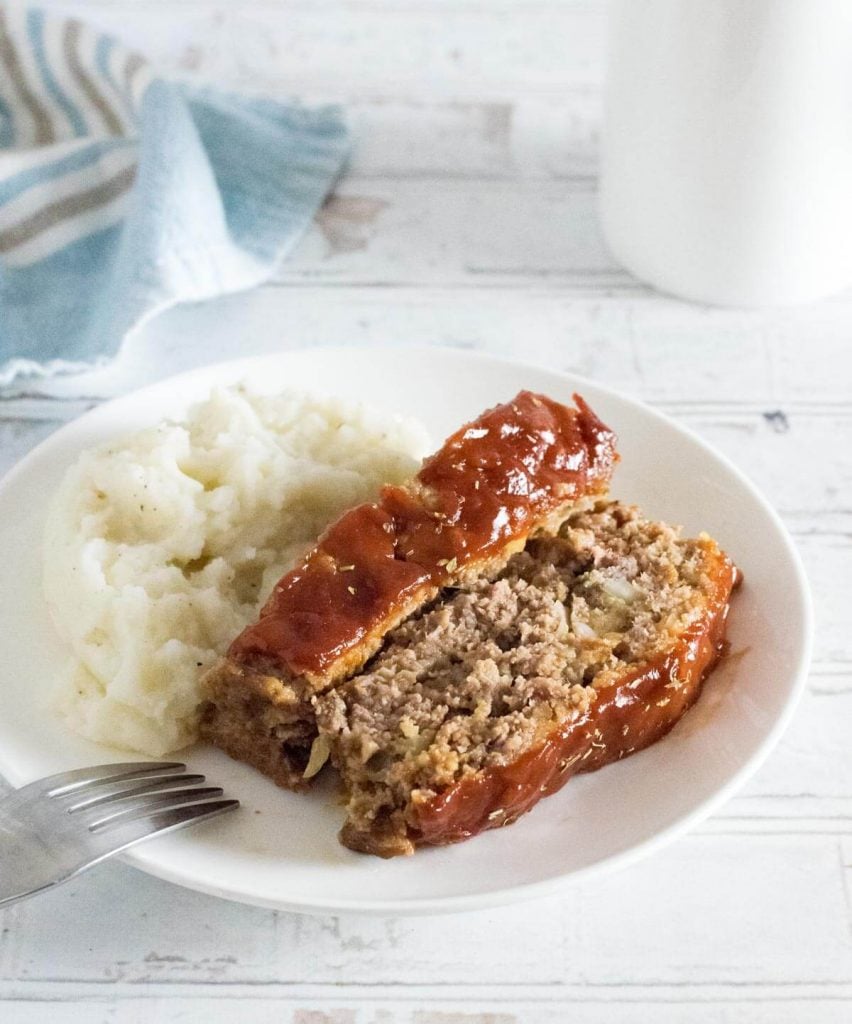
x: 588, y: 647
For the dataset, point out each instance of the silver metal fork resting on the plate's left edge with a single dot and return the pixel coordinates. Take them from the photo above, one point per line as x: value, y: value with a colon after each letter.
x: 53, y: 830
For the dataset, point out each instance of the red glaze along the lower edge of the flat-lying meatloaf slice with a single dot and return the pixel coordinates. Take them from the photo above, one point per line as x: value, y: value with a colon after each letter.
x: 631, y: 714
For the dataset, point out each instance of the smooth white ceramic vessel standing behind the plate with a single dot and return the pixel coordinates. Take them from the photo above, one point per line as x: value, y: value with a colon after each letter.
x: 728, y: 148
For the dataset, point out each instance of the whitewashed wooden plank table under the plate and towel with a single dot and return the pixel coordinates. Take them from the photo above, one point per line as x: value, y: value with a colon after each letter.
x: 467, y: 219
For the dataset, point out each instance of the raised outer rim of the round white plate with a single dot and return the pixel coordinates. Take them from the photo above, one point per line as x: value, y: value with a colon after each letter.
x: 524, y: 891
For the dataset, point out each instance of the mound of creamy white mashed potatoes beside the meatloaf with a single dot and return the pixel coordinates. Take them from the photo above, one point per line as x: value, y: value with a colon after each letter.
x: 161, y: 547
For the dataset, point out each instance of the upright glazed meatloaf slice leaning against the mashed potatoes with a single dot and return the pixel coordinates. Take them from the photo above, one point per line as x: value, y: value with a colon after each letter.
x: 515, y: 473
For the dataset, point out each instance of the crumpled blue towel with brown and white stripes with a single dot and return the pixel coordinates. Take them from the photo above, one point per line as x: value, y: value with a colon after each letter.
x: 123, y: 194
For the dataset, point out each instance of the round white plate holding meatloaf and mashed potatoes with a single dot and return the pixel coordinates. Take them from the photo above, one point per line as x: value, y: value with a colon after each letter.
x: 281, y: 850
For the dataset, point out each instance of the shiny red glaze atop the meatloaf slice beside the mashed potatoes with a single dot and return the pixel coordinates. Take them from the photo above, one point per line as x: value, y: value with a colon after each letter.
x: 489, y: 485
